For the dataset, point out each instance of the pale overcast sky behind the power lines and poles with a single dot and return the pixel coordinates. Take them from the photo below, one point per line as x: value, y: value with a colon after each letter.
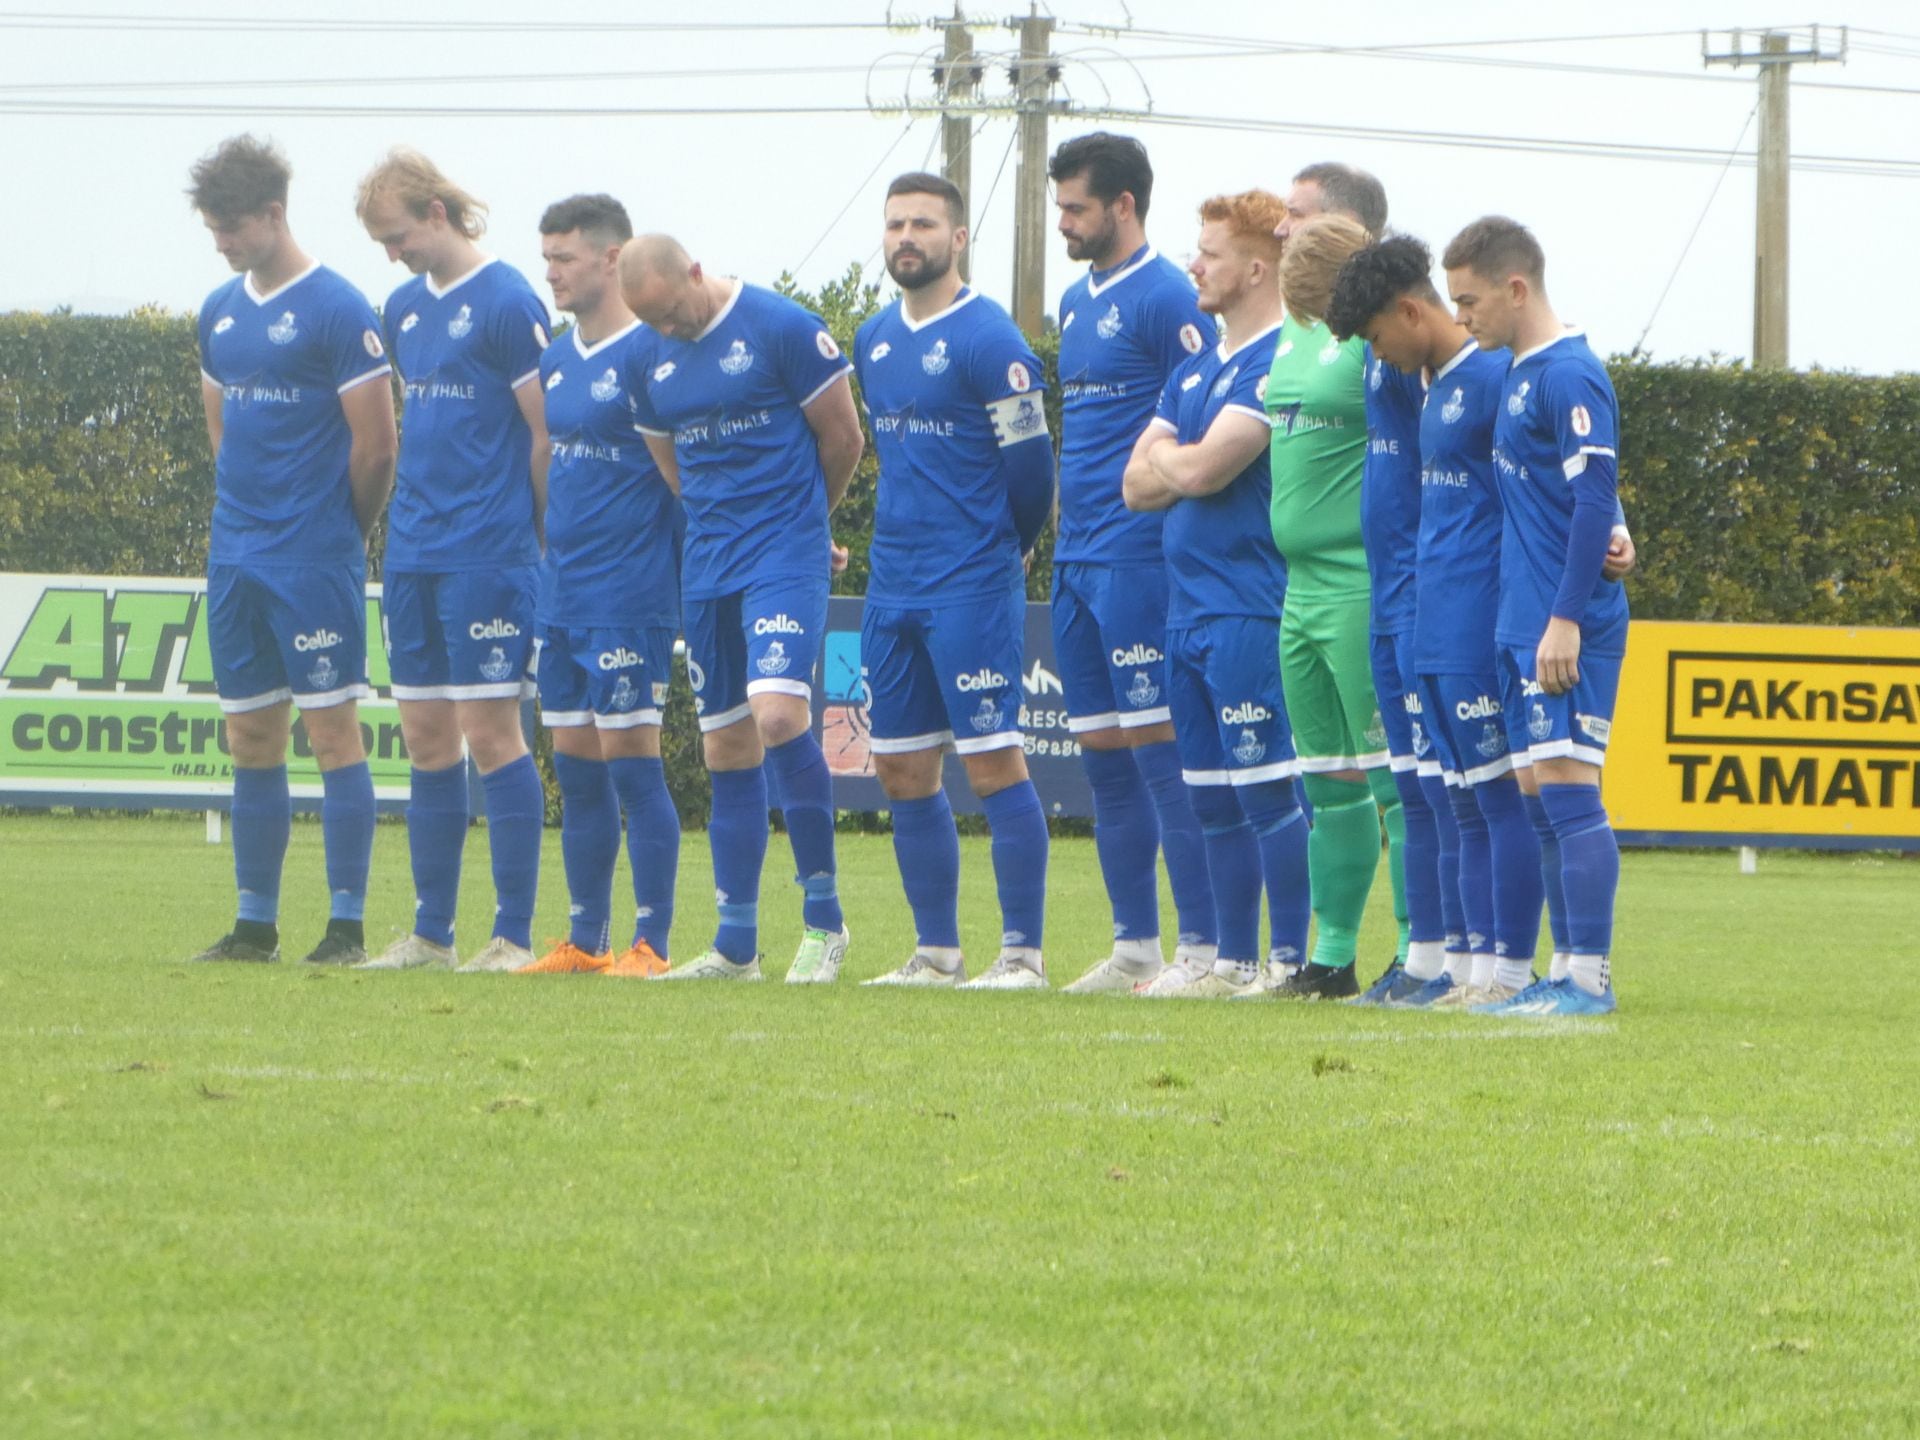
x: 95, y: 214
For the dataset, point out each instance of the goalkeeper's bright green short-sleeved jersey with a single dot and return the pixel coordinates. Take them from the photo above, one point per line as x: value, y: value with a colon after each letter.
x: 1318, y: 406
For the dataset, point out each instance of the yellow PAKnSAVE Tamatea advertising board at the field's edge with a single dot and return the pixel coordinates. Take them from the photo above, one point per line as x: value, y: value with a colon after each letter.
x: 1767, y: 734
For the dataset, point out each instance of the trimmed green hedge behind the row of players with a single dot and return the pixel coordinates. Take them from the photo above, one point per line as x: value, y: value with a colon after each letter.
x: 1787, y: 498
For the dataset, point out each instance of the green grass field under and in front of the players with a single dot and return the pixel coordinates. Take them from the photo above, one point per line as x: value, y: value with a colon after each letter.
x: 285, y: 1203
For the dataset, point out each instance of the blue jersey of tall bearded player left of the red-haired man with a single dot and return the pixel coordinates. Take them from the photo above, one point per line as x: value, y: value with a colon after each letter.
x: 1122, y: 335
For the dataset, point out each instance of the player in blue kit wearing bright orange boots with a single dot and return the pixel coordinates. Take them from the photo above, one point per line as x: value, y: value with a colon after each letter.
x: 610, y: 604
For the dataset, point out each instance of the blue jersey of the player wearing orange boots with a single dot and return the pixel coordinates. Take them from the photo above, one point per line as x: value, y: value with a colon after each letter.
x: 613, y: 527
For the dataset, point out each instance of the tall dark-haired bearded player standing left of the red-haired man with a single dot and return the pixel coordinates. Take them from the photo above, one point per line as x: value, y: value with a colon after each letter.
x: 1124, y: 327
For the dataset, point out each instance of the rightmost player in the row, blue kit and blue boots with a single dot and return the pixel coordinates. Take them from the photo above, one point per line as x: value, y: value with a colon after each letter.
x: 1562, y: 625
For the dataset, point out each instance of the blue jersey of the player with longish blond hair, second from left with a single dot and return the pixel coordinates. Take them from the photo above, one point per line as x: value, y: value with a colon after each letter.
x: 464, y: 494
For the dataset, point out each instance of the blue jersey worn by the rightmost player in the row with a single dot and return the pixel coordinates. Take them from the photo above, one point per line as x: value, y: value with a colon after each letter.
x: 1558, y: 414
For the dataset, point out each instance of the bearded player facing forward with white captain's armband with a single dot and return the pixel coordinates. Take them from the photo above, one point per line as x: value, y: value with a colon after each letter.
x: 967, y: 483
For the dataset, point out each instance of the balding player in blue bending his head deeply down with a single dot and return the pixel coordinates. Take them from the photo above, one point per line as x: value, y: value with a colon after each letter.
x: 746, y: 406
